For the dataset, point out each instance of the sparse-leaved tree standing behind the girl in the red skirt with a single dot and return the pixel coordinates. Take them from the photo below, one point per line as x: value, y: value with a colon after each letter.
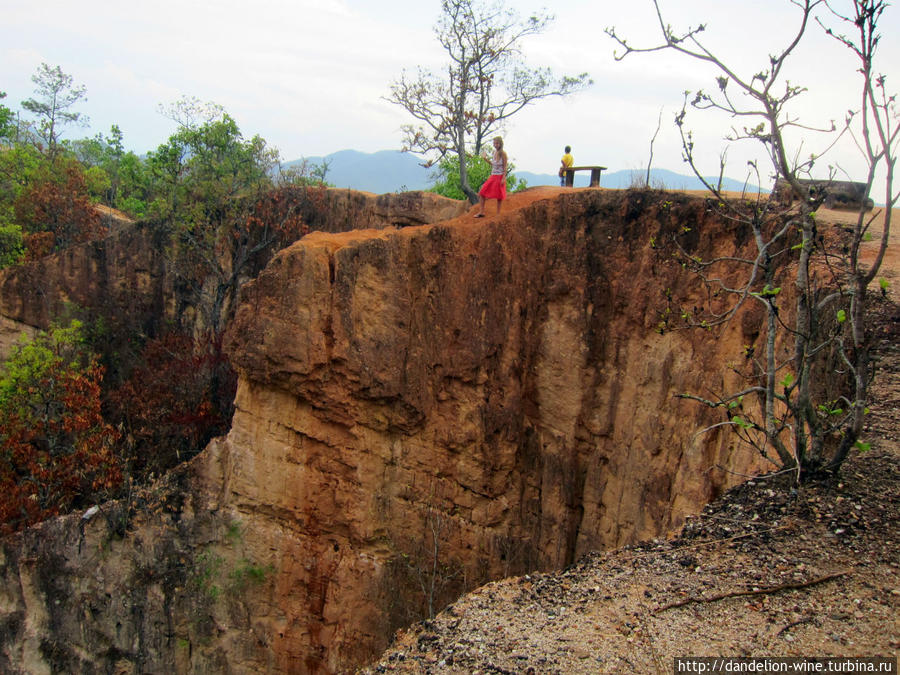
x: 485, y: 83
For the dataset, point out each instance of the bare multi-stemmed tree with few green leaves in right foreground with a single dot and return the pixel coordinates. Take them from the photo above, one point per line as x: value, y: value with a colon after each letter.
x: 811, y: 405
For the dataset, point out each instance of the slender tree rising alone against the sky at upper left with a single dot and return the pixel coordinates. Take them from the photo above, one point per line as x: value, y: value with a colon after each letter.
x: 53, y: 105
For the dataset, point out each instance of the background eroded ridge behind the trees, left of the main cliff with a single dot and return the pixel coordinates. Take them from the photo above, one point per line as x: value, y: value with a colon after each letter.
x: 135, y: 271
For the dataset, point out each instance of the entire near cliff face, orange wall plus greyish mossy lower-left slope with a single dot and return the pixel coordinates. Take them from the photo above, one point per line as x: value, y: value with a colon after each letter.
x: 419, y: 410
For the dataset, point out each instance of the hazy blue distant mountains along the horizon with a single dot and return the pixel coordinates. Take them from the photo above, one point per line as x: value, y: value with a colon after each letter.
x: 395, y: 171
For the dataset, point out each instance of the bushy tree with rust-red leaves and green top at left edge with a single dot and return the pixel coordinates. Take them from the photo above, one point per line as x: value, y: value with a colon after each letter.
x: 56, y: 452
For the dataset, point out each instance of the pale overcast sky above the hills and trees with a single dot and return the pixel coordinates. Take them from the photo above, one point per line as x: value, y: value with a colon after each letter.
x: 309, y: 76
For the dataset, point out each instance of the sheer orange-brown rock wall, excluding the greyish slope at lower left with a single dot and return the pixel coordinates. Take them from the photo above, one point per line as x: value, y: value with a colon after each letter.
x: 500, y: 387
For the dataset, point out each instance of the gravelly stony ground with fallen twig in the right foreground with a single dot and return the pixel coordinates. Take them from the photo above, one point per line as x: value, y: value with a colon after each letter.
x: 770, y: 569
